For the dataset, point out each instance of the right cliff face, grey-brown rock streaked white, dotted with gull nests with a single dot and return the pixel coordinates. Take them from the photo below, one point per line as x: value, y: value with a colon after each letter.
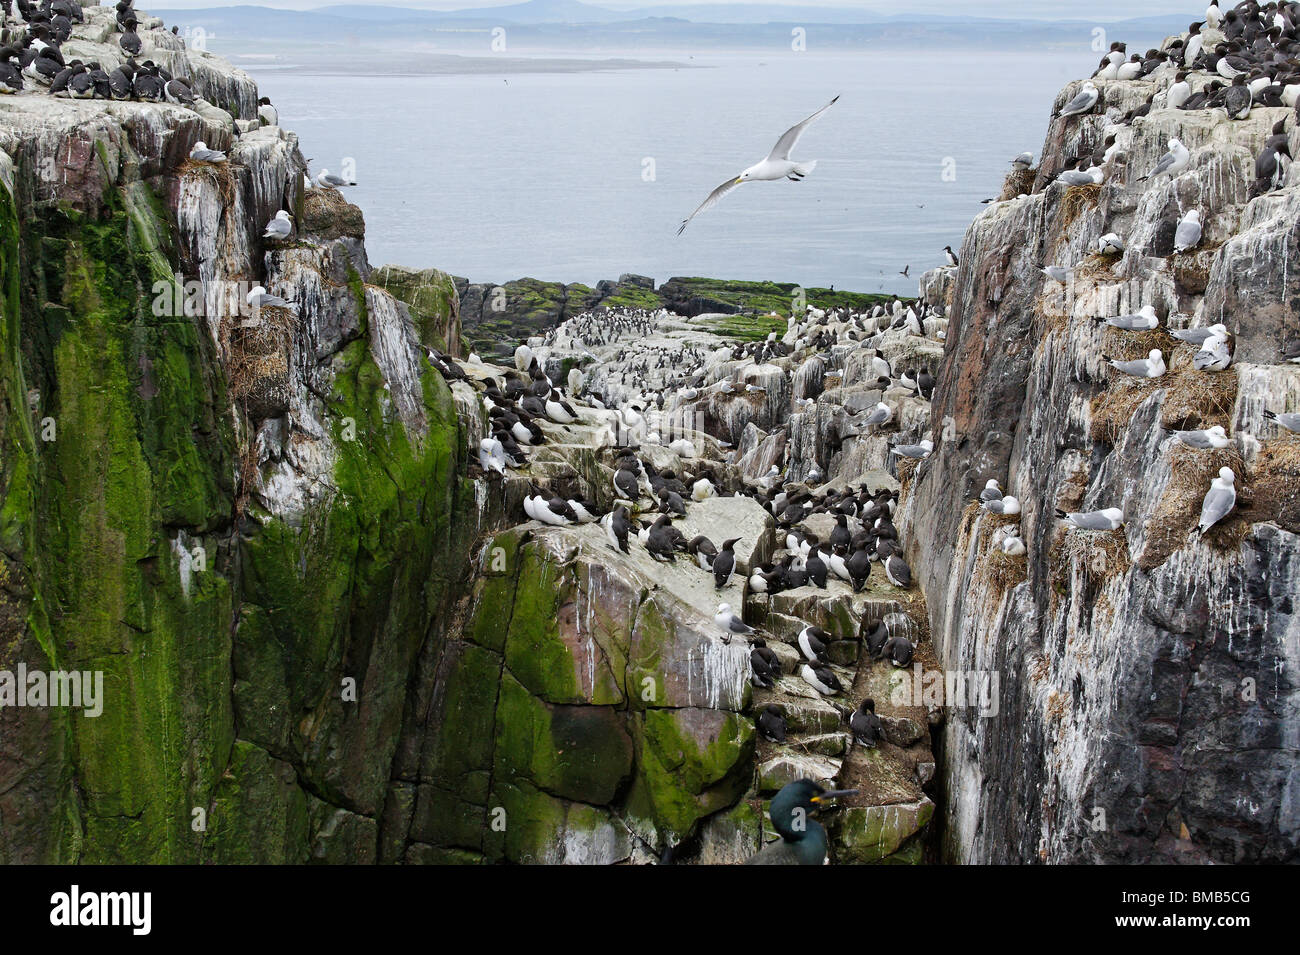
x: 1150, y: 698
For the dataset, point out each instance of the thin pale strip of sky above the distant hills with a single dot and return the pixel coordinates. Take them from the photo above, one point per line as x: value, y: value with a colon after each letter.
x: 1037, y: 10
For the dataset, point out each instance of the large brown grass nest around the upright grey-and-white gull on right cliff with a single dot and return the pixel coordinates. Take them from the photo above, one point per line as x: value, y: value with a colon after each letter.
x: 1180, y: 509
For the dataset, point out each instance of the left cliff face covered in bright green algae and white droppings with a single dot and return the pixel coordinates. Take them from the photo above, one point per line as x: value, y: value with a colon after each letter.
x: 250, y: 529
